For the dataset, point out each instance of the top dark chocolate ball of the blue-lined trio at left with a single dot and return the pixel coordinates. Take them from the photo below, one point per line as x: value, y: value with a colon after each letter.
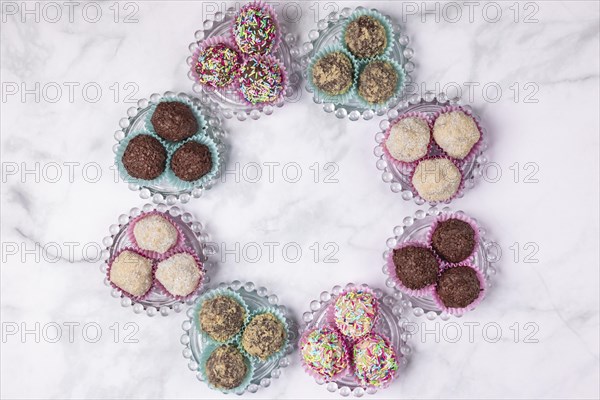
x: 174, y: 121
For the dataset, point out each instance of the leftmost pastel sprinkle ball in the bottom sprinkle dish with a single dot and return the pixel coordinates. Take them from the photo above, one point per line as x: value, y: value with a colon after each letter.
x: 324, y: 352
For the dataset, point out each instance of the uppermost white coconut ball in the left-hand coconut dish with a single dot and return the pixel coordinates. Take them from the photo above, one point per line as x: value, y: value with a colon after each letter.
x: 154, y: 232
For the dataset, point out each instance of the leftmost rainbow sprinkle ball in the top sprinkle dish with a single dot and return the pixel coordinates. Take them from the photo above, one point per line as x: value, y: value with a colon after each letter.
x: 217, y: 65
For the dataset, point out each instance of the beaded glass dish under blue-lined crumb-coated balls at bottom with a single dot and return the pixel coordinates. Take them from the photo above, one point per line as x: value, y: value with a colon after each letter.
x: 255, y: 297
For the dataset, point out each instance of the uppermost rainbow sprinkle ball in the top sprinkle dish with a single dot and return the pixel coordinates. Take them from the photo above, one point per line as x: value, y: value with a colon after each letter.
x: 255, y: 29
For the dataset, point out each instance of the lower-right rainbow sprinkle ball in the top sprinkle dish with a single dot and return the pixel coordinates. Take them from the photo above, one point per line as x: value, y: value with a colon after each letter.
x: 261, y: 80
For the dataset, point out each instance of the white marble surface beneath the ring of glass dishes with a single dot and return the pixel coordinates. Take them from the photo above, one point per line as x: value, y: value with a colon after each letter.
x: 557, y: 55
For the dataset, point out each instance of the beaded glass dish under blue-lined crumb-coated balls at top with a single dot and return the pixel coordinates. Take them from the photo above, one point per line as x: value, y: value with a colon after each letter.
x: 327, y: 33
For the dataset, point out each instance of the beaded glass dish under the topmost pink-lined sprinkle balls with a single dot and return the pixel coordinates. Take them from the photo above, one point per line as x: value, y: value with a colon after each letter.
x: 228, y: 101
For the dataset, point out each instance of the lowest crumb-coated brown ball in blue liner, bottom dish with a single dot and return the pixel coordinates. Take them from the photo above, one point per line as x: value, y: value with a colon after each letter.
x: 226, y: 367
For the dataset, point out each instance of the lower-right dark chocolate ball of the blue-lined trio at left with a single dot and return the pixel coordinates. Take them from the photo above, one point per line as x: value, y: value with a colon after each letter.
x: 191, y: 161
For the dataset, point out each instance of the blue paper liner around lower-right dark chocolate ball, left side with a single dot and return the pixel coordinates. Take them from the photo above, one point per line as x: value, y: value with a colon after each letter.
x: 217, y: 162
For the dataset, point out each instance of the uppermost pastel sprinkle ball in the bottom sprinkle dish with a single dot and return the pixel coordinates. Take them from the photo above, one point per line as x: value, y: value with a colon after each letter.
x: 355, y: 312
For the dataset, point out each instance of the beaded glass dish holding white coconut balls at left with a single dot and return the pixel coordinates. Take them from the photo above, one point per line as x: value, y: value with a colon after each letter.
x: 195, y: 238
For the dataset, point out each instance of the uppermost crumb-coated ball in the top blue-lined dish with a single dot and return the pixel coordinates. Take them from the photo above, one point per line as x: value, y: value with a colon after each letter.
x: 366, y: 37
